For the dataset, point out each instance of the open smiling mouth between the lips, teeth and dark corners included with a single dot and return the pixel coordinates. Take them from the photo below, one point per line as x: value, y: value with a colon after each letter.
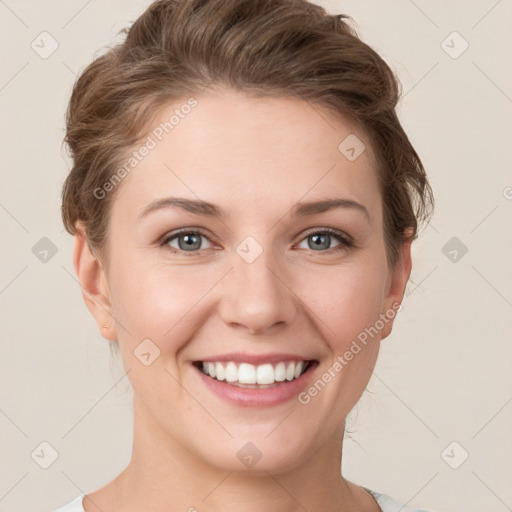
x: 247, y: 375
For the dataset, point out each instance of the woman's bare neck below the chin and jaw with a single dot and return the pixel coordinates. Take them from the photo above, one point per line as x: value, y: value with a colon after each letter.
x: 163, y: 475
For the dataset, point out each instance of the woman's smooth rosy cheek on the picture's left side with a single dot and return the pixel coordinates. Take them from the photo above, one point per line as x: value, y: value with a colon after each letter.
x: 158, y: 307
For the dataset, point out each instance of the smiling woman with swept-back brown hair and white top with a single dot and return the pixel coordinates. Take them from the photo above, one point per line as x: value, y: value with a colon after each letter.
x: 243, y: 200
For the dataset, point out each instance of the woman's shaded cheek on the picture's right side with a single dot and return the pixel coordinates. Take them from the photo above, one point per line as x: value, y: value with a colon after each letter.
x: 346, y: 303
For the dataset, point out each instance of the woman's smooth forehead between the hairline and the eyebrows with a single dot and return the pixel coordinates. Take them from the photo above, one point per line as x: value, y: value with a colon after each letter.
x: 256, y: 154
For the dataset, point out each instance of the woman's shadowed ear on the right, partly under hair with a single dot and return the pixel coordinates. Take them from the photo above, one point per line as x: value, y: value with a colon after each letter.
x: 399, y: 276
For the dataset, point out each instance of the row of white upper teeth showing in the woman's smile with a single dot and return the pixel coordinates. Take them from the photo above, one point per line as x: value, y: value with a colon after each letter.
x: 247, y: 373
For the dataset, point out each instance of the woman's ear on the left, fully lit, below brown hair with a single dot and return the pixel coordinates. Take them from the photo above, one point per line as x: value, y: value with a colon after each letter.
x: 93, y: 283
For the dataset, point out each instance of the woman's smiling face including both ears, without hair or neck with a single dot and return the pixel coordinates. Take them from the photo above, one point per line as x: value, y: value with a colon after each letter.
x: 223, y: 248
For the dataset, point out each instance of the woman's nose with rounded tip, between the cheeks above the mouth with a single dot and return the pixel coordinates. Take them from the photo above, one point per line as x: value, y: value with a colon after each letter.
x: 257, y: 296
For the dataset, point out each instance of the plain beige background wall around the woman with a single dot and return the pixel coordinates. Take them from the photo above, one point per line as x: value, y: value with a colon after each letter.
x: 444, y: 375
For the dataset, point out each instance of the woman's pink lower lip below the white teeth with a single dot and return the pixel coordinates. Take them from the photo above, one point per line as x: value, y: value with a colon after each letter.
x: 254, y: 397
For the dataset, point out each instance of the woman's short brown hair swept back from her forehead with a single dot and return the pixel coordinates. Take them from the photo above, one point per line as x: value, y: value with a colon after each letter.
x: 261, y: 47
